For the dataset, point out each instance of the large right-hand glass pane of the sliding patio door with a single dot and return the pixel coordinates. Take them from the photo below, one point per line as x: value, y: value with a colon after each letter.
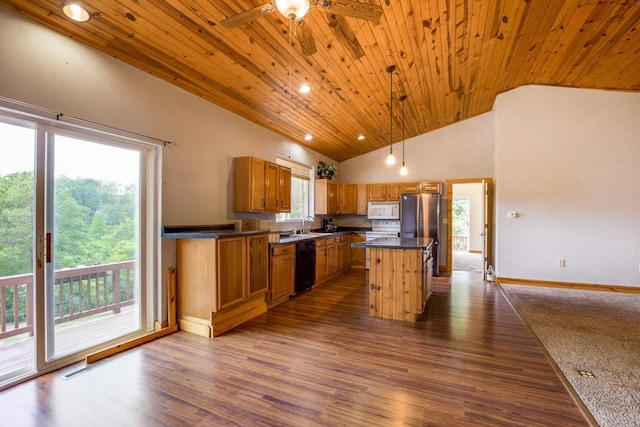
x: 93, y: 222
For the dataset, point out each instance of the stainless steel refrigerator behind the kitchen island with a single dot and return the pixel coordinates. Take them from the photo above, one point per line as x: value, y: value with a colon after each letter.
x: 420, y: 217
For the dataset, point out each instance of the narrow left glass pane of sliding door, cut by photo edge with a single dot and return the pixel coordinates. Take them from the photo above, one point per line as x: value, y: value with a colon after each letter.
x: 17, y: 327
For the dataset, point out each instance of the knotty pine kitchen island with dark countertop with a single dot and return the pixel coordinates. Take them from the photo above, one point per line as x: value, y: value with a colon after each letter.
x: 399, y: 278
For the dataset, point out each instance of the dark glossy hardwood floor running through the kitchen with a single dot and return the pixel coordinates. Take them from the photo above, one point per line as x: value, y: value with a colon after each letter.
x: 319, y: 359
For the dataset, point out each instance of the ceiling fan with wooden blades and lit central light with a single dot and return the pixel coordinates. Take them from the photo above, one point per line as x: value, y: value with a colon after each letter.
x: 295, y: 10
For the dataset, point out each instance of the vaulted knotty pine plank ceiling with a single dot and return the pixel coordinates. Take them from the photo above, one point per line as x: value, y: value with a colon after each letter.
x: 452, y: 57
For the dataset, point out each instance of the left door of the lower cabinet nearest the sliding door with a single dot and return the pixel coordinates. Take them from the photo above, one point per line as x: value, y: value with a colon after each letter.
x: 232, y: 256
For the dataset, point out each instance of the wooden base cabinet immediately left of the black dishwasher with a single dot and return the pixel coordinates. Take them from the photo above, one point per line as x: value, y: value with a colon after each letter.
x: 282, y: 273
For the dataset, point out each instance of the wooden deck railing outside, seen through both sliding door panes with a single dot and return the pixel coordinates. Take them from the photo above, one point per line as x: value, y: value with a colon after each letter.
x: 78, y: 292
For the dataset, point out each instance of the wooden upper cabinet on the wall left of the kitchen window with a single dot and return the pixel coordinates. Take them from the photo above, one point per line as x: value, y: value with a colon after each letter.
x: 260, y: 186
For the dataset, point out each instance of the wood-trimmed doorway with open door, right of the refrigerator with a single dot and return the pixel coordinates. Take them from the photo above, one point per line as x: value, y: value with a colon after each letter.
x: 469, y: 225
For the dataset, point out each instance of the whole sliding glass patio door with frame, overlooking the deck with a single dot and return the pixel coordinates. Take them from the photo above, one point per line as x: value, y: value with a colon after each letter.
x: 74, y: 222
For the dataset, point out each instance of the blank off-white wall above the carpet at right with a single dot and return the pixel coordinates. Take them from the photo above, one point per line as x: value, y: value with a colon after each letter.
x: 568, y: 161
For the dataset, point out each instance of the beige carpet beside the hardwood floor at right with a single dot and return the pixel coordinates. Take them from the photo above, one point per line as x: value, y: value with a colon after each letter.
x: 594, y: 332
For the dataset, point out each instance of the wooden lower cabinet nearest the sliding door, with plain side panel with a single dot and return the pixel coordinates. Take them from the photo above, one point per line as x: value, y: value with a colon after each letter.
x: 221, y: 282
